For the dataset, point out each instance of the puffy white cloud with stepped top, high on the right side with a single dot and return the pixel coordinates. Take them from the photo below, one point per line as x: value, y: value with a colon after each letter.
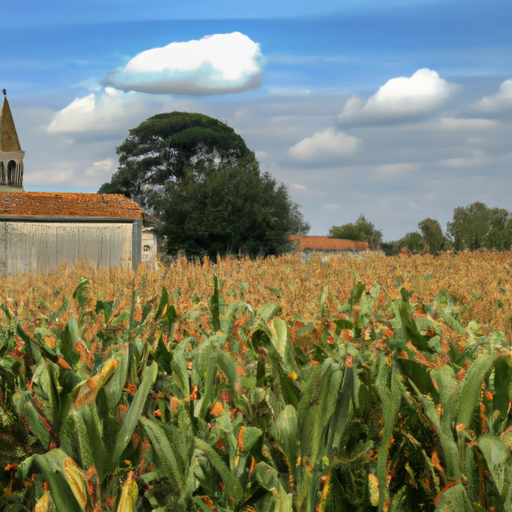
x: 399, y: 99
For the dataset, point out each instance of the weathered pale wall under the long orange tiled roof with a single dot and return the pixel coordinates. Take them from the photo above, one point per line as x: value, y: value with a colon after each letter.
x: 41, y: 246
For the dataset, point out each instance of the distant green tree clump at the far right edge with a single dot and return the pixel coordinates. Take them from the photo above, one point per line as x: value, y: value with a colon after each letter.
x: 477, y: 226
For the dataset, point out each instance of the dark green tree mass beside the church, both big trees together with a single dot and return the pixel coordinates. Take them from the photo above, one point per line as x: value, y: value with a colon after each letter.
x: 204, y: 187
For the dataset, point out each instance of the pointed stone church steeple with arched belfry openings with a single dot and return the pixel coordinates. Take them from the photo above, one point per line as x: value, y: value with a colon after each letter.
x: 11, y: 155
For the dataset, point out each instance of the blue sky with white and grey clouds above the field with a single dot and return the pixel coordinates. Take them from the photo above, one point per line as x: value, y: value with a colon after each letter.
x: 397, y: 110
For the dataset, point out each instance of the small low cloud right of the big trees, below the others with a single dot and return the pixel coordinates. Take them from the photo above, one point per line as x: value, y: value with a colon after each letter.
x: 327, y: 146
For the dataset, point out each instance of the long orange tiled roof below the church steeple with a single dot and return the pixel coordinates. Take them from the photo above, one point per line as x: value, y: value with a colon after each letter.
x: 60, y: 204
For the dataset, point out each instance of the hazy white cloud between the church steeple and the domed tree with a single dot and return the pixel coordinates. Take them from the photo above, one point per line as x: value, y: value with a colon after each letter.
x: 105, y: 112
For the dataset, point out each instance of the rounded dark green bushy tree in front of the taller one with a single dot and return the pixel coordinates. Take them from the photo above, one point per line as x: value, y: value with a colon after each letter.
x: 231, y: 208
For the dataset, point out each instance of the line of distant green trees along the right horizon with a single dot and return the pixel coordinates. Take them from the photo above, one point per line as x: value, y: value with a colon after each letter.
x: 473, y: 227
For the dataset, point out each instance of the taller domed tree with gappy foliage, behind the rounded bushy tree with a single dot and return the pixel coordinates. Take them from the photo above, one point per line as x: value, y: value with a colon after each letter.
x: 158, y: 151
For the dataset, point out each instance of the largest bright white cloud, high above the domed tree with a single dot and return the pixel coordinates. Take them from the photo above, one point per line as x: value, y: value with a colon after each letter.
x: 217, y: 64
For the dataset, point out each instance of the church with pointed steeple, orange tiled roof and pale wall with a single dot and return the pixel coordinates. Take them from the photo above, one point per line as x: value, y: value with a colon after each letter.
x: 38, y: 231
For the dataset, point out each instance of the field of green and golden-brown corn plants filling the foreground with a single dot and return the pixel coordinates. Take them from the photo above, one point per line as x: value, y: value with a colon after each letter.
x: 344, y: 383
